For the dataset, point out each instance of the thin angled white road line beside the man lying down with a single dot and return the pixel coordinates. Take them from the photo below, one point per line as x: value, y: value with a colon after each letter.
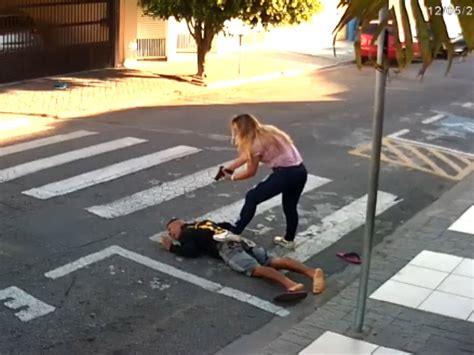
x: 169, y: 270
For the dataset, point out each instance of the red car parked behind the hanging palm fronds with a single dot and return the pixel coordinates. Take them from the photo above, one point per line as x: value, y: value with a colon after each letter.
x: 369, y: 51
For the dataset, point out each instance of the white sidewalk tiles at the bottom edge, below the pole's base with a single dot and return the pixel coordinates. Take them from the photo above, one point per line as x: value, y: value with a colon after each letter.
x: 333, y: 343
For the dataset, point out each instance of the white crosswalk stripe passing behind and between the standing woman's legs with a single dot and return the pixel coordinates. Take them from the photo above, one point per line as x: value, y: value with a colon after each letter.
x: 230, y: 212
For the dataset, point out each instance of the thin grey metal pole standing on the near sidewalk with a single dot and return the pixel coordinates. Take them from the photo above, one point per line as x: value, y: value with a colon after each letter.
x: 379, y: 101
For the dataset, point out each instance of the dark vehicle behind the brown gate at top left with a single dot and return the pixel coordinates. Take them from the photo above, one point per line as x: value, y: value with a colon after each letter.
x: 18, y: 32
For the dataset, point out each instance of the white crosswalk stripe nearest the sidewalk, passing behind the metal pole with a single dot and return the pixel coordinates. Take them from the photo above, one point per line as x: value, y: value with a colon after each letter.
x: 333, y: 227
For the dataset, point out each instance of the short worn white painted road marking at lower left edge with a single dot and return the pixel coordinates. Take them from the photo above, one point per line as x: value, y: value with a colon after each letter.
x: 29, y: 306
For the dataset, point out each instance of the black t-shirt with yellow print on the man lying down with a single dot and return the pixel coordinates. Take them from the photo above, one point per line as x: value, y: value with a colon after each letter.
x: 196, y: 239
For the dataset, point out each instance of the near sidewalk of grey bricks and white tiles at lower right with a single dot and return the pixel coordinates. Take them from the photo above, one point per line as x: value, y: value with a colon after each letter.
x: 421, y: 291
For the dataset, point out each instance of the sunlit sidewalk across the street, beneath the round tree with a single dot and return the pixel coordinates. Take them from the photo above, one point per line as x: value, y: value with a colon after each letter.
x: 95, y: 92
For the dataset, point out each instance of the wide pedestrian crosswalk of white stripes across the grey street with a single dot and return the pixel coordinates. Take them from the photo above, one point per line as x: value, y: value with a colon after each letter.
x: 128, y: 201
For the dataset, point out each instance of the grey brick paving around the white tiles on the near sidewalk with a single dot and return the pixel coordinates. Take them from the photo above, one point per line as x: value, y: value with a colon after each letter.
x: 388, y: 324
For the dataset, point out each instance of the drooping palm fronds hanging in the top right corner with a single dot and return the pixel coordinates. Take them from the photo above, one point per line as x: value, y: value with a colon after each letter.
x: 432, y: 33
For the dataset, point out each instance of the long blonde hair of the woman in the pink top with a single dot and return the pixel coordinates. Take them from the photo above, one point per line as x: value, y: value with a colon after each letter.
x: 246, y: 130
